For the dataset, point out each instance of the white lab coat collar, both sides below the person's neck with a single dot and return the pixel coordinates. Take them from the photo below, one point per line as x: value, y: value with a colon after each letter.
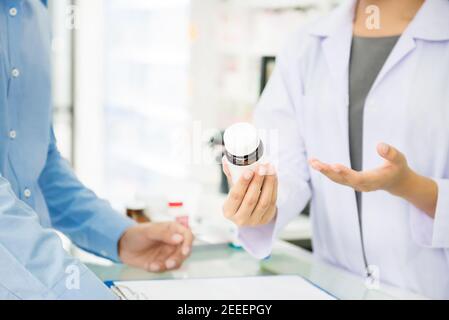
x: 430, y: 23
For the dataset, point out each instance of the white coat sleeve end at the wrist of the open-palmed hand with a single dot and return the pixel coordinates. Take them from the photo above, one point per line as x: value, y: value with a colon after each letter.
x: 433, y: 233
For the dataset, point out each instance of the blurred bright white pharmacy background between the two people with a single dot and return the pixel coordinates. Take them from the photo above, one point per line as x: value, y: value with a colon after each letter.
x: 141, y: 86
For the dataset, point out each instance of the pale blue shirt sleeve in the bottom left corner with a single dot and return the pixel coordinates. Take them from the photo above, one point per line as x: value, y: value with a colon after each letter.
x: 33, y: 263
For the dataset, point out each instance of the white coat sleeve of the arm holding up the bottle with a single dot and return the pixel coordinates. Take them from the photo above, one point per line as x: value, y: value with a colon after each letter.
x: 276, y: 115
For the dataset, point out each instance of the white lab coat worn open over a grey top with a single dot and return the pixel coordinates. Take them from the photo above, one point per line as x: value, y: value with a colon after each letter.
x: 306, y: 101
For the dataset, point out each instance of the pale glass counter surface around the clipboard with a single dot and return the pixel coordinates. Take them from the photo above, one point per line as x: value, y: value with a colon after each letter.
x: 210, y: 261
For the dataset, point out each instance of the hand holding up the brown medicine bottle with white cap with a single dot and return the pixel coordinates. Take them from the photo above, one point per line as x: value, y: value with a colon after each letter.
x: 252, y: 200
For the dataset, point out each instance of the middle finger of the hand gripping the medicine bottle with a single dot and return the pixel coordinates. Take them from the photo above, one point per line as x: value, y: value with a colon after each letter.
x: 251, y: 198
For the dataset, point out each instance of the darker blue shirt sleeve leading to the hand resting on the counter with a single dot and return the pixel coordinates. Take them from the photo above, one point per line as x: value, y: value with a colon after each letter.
x: 76, y: 211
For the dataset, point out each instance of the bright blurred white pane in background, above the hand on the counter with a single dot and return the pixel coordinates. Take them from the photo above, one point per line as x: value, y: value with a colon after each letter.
x: 146, y: 65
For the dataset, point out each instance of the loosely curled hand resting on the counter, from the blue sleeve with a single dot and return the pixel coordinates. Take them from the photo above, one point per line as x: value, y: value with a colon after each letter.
x: 156, y: 247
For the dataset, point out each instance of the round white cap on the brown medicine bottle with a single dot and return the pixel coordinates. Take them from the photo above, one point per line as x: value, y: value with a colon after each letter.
x: 241, y: 139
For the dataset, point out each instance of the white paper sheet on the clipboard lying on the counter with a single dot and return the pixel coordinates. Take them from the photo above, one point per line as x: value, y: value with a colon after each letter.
x: 240, y: 288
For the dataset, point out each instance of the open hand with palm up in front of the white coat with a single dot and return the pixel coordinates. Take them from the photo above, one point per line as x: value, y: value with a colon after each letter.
x: 393, y: 176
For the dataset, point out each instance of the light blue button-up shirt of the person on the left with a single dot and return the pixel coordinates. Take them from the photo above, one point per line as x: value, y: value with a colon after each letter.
x: 38, y: 190
